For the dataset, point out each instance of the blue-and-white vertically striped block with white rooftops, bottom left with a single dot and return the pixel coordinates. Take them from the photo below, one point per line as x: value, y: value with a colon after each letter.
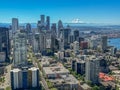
x: 24, y: 78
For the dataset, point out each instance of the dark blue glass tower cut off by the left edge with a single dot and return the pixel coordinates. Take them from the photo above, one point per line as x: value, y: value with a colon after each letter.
x: 4, y: 43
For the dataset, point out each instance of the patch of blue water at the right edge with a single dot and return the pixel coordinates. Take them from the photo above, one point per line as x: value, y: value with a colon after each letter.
x: 114, y: 42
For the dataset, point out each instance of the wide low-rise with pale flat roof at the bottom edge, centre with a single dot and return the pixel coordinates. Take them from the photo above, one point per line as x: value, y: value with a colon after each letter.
x: 66, y: 83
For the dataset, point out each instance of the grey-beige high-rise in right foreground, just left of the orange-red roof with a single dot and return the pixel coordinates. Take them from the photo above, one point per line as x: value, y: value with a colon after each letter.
x: 92, y: 68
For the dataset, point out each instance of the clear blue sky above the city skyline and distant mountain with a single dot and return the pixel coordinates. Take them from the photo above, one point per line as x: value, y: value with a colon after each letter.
x: 90, y: 11
